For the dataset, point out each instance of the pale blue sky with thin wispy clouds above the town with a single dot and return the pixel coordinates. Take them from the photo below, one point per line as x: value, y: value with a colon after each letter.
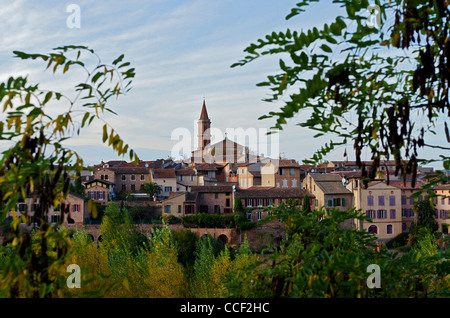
x: 182, y: 52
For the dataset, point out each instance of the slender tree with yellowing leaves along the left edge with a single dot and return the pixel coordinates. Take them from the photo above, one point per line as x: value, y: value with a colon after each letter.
x: 36, y: 167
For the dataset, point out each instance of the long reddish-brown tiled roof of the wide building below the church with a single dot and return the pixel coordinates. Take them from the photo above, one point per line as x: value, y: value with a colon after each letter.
x: 272, y: 192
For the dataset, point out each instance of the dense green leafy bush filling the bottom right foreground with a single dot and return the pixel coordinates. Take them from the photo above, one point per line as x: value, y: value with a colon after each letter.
x: 321, y: 259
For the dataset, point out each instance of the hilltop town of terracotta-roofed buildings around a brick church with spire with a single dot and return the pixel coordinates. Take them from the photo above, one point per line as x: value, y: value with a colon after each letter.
x: 171, y: 189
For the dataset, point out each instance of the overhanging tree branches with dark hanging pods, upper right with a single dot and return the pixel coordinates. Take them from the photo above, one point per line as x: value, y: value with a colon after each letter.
x: 366, y: 84
